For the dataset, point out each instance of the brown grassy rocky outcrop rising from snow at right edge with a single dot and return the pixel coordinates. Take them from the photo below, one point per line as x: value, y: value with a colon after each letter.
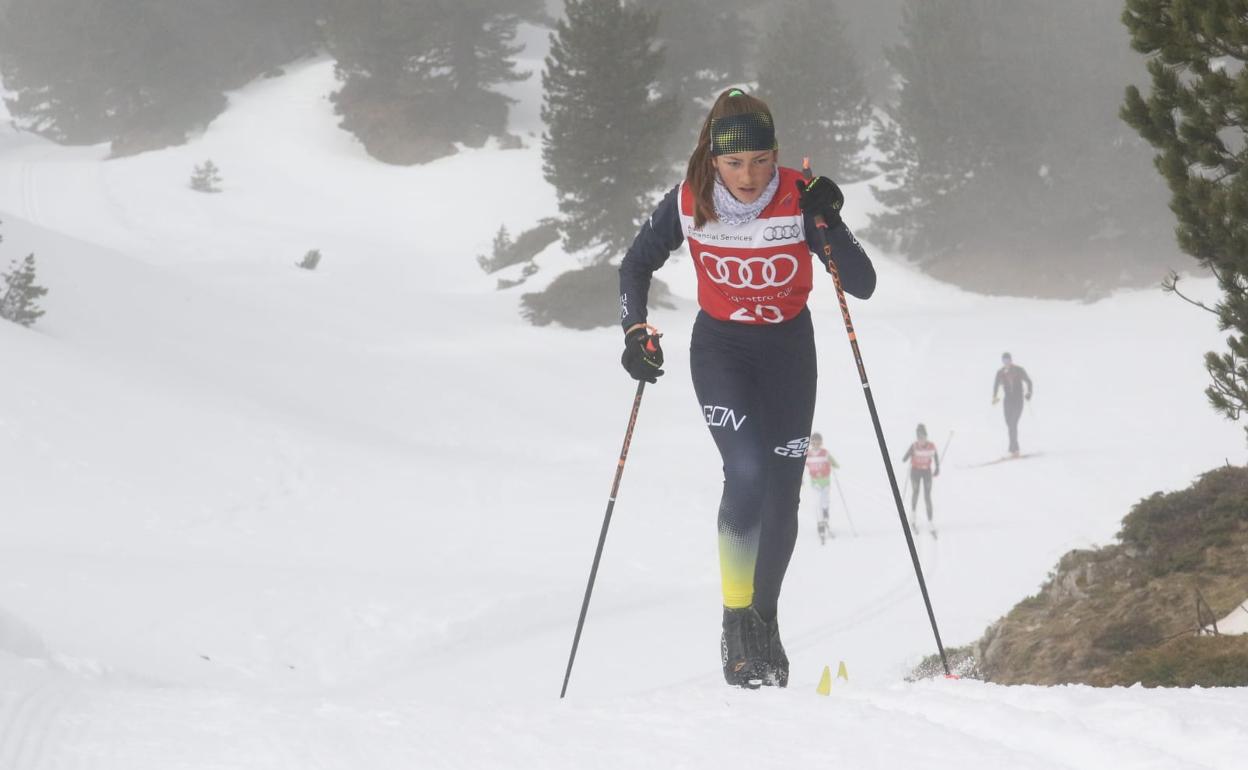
x: 1140, y: 611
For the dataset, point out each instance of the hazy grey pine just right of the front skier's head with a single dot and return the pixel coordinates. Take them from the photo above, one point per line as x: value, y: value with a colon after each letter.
x: 811, y: 79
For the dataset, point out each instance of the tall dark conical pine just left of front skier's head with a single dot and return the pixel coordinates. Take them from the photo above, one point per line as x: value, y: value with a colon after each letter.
x: 603, y: 125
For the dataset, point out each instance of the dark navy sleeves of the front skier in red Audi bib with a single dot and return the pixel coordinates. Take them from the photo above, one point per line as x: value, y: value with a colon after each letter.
x: 665, y: 233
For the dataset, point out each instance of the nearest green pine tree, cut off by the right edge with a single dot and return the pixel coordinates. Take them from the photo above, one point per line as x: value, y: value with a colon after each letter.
x: 1197, y: 119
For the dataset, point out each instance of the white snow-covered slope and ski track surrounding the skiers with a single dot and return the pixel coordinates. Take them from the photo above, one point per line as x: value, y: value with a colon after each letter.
x: 261, y: 517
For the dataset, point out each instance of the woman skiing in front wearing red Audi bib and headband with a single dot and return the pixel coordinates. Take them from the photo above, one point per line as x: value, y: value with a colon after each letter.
x: 751, y: 227
